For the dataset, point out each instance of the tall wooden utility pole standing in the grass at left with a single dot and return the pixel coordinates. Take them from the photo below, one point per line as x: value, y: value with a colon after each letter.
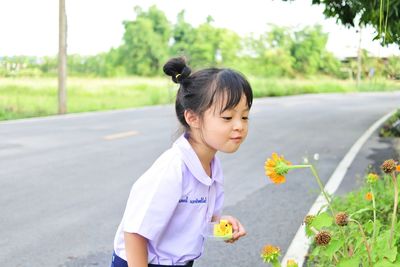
x: 62, y: 59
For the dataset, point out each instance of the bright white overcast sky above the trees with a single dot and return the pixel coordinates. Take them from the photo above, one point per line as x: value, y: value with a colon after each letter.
x: 31, y: 27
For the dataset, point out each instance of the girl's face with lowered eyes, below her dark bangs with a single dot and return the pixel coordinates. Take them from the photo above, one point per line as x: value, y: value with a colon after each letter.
x: 227, y: 130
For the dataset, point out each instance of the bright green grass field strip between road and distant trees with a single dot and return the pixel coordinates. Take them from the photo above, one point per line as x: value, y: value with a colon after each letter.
x: 33, y: 97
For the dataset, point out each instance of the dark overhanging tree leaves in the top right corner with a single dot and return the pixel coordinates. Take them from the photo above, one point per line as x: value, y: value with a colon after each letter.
x: 383, y: 15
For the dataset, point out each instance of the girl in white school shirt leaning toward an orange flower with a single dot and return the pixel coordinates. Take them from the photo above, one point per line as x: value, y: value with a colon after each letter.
x: 172, y: 202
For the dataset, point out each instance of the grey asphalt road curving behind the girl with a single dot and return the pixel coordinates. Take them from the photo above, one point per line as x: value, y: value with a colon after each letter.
x: 64, y: 181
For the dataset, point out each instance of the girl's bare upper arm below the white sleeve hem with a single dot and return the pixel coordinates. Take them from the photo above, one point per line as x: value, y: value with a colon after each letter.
x: 136, y: 250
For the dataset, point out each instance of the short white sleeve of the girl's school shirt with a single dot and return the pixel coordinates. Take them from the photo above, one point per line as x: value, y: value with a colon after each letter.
x: 154, y: 197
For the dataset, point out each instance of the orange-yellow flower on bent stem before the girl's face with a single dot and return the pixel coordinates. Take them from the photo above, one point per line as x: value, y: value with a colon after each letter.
x: 276, y: 168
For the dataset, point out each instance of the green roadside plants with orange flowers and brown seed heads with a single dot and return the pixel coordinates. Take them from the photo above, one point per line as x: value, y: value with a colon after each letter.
x: 364, y: 232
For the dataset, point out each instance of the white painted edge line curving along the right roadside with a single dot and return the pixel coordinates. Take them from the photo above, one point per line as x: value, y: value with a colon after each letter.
x: 300, y: 244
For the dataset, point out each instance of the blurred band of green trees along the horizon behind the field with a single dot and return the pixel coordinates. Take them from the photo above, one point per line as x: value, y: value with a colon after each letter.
x: 150, y: 39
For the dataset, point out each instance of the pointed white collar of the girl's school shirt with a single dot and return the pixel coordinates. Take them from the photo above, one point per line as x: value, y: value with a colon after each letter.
x: 192, y: 161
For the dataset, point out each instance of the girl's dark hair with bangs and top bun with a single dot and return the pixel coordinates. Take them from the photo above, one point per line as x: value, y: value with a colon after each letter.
x: 198, y: 91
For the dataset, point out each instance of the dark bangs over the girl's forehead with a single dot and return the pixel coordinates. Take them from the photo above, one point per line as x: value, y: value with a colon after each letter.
x: 229, y: 88
